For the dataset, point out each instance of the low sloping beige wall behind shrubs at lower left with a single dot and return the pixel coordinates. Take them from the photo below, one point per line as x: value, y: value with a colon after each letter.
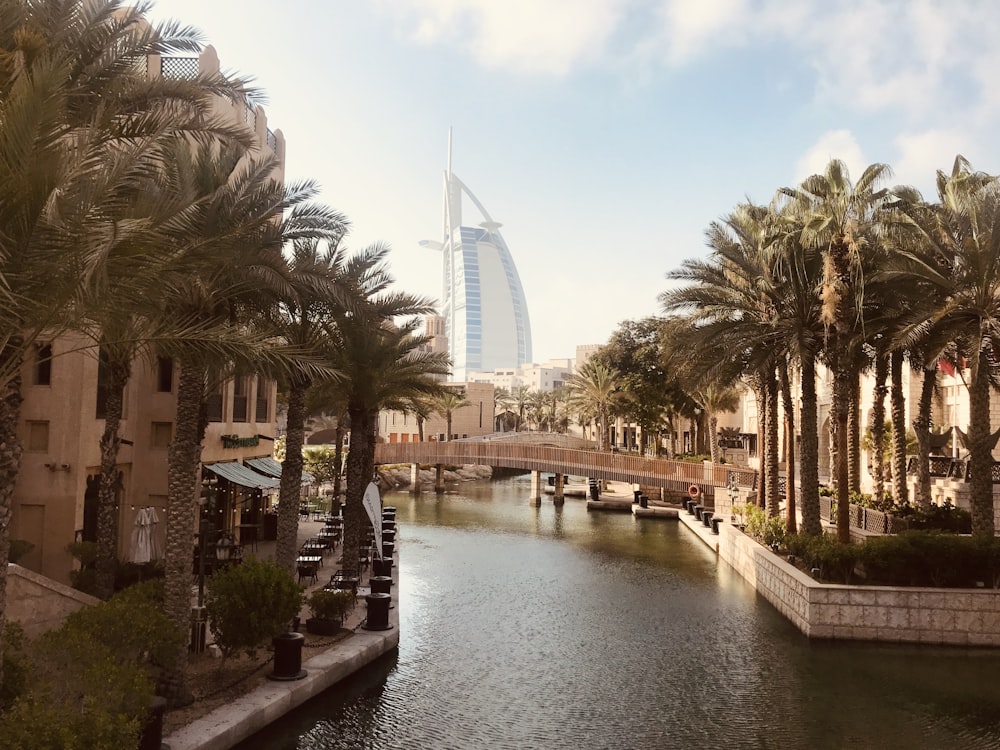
x: 38, y: 603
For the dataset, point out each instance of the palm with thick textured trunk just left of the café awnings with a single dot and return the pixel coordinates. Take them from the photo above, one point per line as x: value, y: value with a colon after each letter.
x: 238, y: 221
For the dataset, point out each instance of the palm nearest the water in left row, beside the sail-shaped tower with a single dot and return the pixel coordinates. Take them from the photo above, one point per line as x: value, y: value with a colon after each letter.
x: 384, y: 366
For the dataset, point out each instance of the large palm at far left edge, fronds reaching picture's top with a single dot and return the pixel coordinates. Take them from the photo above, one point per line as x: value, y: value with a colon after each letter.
x: 80, y: 125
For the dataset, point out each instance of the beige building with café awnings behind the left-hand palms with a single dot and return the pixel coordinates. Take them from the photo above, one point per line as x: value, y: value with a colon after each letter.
x: 62, y: 421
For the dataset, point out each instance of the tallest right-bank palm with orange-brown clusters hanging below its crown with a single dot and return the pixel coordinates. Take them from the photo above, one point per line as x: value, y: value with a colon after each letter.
x: 842, y: 220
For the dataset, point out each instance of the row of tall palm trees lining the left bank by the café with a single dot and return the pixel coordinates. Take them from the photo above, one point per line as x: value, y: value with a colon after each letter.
x: 137, y: 219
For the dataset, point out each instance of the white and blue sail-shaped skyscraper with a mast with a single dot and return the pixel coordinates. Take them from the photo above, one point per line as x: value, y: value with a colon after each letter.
x: 482, y: 300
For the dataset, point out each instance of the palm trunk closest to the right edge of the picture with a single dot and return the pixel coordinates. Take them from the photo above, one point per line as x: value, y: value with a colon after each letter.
x: 980, y: 443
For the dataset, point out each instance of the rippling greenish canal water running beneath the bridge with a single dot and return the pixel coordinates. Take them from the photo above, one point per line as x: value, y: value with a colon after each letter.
x: 549, y: 627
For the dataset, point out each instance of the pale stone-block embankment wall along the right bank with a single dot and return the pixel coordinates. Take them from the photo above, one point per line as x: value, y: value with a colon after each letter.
x: 965, y: 617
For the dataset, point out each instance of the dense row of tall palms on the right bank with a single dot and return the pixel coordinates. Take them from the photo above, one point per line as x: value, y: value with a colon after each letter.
x: 854, y: 276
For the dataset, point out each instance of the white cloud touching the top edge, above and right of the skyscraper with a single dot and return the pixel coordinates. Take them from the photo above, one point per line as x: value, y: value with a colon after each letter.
x: 524, y: 36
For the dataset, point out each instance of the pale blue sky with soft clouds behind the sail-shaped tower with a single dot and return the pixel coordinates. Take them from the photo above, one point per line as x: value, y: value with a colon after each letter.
x: 605, y: 135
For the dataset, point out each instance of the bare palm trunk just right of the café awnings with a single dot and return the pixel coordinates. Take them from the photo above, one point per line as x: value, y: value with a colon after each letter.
x: 291, y: 477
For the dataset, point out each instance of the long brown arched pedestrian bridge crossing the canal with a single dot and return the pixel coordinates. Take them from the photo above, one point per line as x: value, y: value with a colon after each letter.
x: 539, y: 454
